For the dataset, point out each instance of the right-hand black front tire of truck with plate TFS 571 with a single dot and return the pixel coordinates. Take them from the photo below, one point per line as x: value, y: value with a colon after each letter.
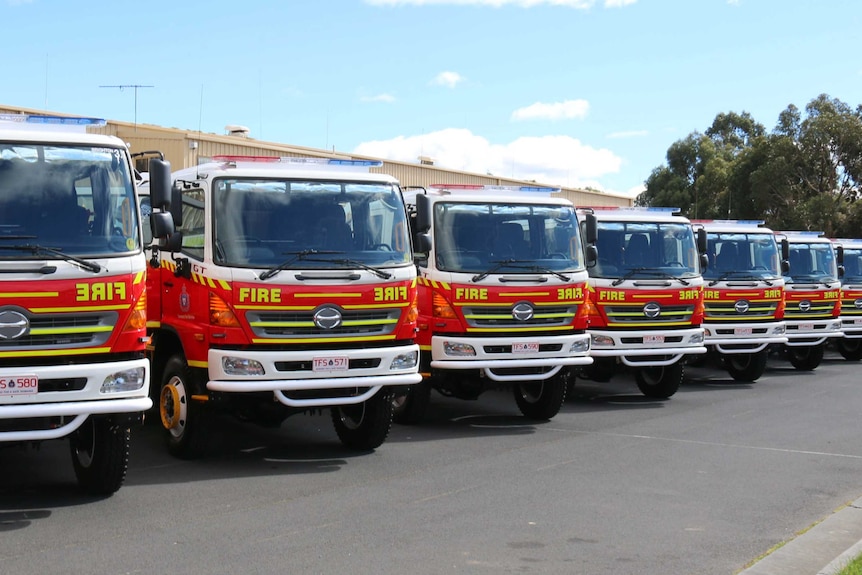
x: 364, y: 426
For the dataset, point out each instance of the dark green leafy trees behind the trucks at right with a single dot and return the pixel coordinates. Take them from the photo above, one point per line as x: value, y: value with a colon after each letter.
x: 803, y: 175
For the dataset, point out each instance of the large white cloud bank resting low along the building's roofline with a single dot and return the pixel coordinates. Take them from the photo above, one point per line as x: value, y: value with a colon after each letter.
x: 559, y: 160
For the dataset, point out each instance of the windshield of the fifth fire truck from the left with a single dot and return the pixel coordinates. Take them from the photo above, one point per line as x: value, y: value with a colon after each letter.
x: 742, y: 256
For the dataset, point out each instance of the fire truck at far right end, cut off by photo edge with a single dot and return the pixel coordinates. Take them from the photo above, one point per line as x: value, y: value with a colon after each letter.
x: 850, y: 345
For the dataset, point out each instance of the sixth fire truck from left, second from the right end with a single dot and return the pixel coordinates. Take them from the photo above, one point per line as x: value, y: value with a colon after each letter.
x: 812, y: 297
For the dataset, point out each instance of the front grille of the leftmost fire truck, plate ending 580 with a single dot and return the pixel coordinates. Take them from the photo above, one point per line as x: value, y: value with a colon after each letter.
x: 63, y: 331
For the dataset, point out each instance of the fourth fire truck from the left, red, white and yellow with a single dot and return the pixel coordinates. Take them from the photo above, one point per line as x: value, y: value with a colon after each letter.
x: 646, y: 294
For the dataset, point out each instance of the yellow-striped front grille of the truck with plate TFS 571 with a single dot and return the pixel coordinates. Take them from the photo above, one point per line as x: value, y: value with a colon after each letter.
x: 300, y: 324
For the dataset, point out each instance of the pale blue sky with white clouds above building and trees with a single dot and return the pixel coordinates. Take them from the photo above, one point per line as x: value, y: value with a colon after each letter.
x: 577, y: 93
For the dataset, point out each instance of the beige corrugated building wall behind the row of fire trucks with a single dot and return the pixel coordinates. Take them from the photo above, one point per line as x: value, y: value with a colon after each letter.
x: 184, y: 149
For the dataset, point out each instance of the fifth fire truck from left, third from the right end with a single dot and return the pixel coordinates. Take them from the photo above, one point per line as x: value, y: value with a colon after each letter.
x: 744, y: 294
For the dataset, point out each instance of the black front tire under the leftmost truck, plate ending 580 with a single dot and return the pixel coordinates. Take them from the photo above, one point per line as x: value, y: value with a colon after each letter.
x: 100, y: 455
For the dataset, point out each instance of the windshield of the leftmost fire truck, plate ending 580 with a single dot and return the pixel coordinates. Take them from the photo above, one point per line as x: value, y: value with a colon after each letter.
x: 77, y: 200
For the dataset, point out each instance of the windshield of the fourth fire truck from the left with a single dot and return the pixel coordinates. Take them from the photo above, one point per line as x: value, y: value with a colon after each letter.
x: 638, y: 249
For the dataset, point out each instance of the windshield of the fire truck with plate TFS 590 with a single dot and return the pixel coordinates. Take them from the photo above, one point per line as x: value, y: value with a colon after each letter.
x: 472, y: 238
